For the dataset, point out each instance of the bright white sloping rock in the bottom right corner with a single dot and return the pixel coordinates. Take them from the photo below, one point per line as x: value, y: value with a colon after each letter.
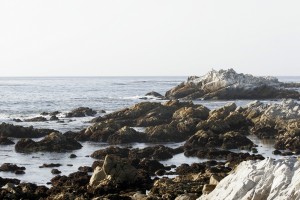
x: 267, y: 179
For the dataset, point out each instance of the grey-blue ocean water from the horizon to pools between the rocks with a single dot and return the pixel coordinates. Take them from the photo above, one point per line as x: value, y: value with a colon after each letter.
x: 27, y: 97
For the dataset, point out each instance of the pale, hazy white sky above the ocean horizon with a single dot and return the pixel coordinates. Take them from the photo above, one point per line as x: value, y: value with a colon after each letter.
x: 148, y: 37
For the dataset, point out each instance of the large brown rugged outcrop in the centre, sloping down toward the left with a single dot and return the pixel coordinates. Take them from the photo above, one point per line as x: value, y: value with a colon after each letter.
x: 172, y: 121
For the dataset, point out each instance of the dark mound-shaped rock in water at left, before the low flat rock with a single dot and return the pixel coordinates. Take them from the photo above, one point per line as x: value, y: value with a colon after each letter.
x: 54, y: 142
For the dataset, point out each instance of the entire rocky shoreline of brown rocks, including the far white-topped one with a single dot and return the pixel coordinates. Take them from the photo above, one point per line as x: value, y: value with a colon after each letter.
x: 121, y: 171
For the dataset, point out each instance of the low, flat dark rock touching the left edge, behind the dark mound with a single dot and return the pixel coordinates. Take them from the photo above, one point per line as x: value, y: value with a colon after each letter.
x: 9, y: 130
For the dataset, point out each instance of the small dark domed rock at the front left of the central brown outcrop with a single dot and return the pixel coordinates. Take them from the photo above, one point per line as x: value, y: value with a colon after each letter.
x: 126, y: 135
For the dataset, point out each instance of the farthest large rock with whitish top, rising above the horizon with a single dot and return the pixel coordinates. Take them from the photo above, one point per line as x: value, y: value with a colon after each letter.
x: 227, y: 84
